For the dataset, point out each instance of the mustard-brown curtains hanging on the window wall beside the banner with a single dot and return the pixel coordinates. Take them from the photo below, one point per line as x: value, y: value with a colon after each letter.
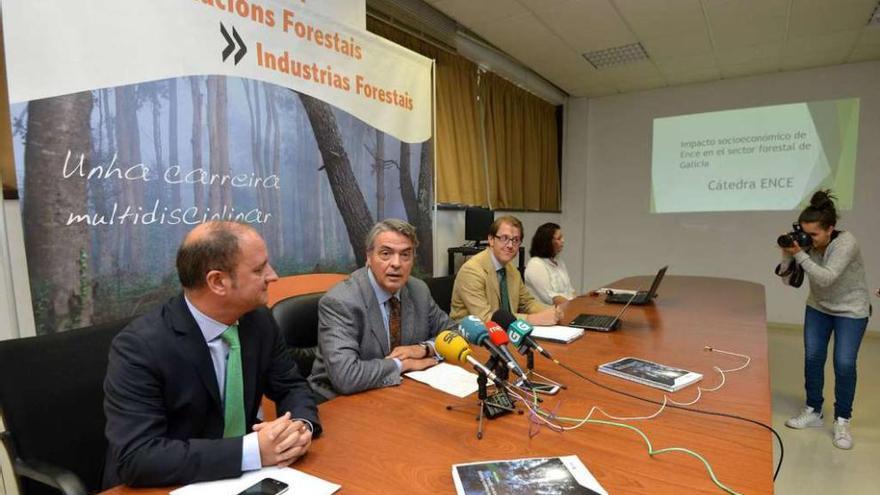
x: 519, y: 163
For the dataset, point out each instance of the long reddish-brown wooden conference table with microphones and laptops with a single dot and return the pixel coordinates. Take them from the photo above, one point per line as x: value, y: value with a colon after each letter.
x: 402, y: 440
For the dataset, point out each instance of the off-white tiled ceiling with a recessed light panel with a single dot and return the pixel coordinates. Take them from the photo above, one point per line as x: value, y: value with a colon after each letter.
x: 741, y: 37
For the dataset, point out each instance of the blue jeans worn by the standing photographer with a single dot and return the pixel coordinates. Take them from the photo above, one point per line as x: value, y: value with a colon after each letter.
x: 848, y: 333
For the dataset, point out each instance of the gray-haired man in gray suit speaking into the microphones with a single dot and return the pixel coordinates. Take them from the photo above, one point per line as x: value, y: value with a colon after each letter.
x: 379, y: 323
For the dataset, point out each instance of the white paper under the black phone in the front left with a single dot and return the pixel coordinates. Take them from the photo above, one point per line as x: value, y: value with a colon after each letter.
x: 298, y: 483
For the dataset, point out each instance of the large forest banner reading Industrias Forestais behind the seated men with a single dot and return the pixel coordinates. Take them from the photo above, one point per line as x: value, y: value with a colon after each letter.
x: 304, y: 141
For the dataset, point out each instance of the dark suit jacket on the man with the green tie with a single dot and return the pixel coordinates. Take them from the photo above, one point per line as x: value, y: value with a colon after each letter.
x: 162, y: 402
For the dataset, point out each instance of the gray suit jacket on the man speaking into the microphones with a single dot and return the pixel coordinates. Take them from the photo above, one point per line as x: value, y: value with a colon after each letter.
x: 353, y: 342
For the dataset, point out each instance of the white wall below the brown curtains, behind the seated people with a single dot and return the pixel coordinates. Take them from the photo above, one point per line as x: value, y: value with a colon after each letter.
x: 449, y: 232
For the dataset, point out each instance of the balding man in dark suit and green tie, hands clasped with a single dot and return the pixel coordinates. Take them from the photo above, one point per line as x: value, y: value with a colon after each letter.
x: 185, y: 381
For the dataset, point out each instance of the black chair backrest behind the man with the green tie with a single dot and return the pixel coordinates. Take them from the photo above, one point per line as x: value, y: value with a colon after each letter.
x: 52, y: 399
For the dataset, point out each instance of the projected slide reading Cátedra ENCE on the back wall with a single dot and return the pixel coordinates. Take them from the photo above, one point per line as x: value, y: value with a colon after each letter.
x: 762, y: 158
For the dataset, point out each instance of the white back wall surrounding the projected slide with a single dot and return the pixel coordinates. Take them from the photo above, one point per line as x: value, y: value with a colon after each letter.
x: 607, y: 186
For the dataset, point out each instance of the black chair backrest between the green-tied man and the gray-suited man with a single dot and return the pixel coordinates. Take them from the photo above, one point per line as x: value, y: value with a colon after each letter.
x: 297, y: 316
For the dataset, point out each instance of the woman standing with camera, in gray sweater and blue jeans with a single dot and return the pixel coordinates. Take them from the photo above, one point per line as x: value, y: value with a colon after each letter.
x: 838, y: 304
